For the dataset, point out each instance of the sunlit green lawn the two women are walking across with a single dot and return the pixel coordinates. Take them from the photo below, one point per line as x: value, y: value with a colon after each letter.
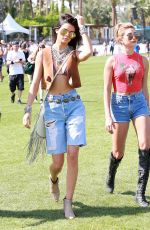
x: 25, y: 202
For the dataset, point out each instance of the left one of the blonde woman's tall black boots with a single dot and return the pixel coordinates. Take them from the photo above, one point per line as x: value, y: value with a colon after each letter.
x: 113, y: 165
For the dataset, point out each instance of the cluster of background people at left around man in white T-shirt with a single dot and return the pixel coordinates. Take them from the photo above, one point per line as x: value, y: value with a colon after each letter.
x: 14, y: 55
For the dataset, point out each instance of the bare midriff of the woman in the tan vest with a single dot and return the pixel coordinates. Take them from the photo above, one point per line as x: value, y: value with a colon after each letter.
x: 60, y: 85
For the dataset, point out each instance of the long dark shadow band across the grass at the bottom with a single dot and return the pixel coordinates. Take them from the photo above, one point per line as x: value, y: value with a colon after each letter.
x: 81, y: 211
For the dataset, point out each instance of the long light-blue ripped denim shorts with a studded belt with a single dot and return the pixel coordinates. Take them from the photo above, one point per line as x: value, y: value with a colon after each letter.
x: 65, y: 122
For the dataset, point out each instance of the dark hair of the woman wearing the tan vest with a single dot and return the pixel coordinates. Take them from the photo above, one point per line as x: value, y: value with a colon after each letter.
x: 68, y: 18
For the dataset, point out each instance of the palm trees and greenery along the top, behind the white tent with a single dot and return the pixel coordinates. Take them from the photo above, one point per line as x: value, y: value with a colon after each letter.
x: 105, y: 12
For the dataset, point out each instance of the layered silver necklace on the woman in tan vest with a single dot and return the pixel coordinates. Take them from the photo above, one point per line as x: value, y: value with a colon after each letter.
x: 60, y: 55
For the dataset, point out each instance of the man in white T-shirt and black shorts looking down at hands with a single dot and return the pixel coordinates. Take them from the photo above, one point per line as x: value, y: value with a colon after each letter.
x: 15, y: 60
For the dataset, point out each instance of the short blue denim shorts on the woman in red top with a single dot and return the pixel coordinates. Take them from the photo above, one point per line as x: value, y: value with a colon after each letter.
x: 127, y: 107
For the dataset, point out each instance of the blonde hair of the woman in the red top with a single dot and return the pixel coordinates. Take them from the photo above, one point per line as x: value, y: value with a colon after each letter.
x: 120, y: 29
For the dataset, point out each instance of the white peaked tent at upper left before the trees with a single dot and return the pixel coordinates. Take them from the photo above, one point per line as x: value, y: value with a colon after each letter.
x: 9, y: 25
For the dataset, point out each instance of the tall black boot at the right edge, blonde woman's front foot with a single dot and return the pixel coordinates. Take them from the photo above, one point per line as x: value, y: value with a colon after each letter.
x: 143, y: 174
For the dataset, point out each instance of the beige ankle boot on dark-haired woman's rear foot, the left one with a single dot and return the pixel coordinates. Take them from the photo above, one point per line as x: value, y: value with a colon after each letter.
x: 54, y: 189
